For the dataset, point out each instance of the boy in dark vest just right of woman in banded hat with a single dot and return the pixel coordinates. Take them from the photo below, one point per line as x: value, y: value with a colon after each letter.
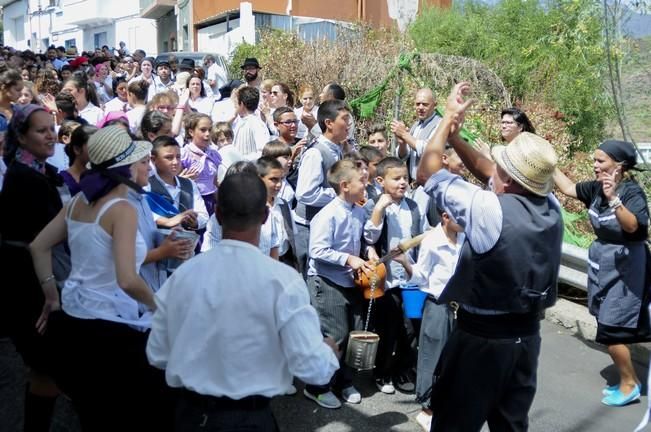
x: 181, y: 192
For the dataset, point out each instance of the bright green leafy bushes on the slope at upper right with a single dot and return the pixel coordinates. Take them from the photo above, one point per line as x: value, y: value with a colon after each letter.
x: 552, y: 54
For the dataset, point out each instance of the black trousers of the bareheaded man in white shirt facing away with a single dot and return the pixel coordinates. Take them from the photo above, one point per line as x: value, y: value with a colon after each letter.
x: 200, y: 413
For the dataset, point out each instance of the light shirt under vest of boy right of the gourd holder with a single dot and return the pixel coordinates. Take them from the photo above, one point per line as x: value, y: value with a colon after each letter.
x: 399, y: 220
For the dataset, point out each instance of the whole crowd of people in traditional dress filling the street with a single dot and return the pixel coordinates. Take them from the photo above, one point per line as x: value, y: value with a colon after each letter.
x: 187, y: 247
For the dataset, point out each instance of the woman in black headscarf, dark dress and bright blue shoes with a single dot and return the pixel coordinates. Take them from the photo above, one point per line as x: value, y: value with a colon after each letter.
x: 617, y: 287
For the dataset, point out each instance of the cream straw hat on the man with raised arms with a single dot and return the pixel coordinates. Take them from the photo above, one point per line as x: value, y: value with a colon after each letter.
x: 529, y: 160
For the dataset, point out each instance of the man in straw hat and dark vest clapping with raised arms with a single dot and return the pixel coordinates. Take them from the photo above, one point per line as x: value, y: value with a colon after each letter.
x: 505, y: 278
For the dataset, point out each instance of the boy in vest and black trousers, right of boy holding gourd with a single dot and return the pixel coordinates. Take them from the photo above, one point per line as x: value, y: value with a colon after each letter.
x: 394, y: 218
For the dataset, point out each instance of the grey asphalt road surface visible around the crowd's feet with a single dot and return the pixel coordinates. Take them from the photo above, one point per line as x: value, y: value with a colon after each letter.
x: 572, y: 373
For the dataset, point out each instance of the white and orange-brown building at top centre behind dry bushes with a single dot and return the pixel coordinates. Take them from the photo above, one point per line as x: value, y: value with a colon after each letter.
x: 218, y: 26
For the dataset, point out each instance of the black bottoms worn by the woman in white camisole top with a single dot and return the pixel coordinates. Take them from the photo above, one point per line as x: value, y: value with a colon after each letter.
x: 102, y: 366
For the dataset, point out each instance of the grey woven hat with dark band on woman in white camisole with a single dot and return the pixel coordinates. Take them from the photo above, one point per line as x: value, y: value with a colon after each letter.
x: 112, y: 147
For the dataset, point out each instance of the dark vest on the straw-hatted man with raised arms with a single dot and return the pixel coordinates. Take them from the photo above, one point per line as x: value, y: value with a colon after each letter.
x: 519, y: 274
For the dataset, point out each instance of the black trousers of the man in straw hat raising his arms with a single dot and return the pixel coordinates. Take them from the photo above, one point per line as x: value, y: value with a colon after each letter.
x: 480, y: 379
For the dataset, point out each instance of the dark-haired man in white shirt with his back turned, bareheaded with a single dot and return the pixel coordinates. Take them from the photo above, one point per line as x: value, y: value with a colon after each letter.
x: 223, y: 311
